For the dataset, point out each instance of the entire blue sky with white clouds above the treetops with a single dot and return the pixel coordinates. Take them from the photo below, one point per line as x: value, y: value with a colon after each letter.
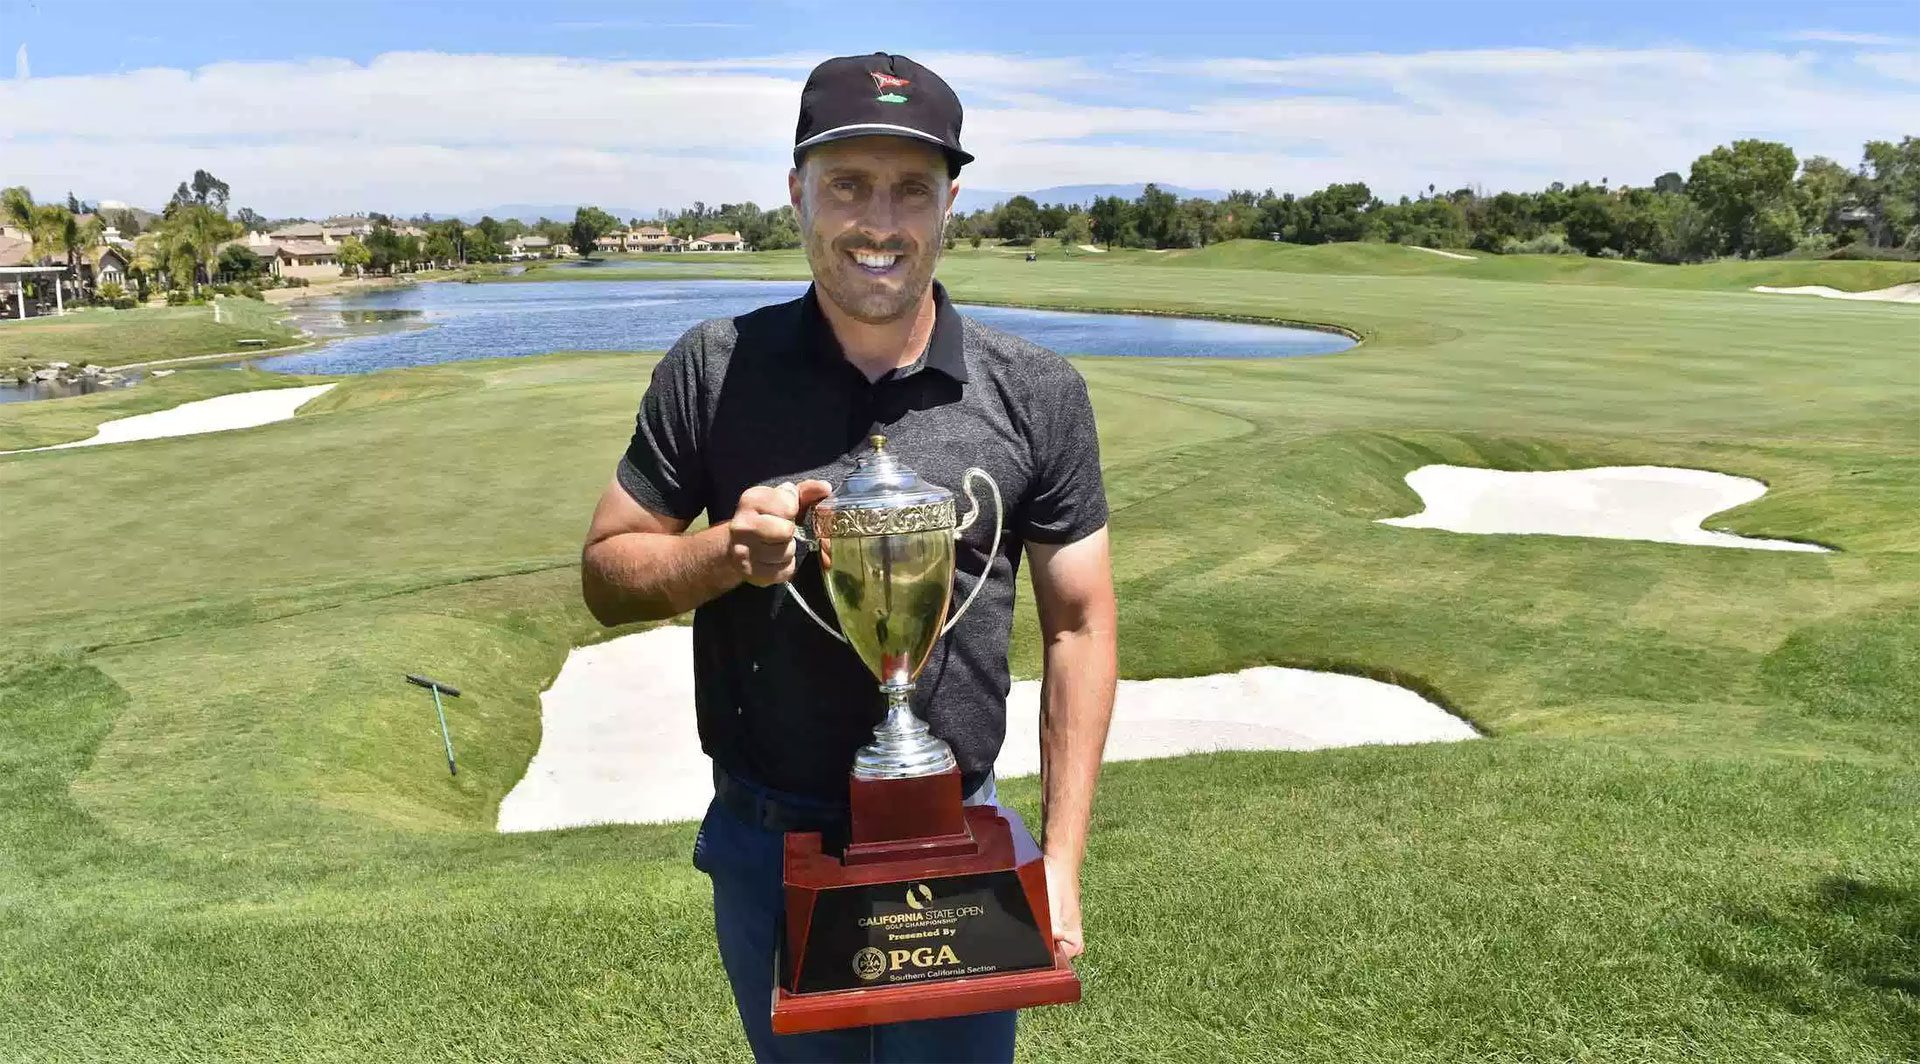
x: 429, y: 107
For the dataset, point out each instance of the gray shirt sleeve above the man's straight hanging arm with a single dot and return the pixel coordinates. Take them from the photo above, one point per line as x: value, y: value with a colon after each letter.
x: 1067, y: 500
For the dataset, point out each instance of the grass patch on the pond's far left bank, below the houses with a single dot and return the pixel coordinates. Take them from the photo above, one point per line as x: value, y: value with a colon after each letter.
x: 107, y: 337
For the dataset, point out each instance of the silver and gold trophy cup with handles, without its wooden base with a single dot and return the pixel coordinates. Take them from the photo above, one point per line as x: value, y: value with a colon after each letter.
x: 886, y: 543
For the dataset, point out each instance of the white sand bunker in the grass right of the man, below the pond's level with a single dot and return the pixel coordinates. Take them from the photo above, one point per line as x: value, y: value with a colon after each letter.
x: 1621, y: 502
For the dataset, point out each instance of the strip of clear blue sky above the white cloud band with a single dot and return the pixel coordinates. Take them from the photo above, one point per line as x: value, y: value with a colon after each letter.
x: 97, y: 37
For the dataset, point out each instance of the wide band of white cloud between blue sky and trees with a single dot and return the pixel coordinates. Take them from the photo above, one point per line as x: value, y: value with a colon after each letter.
x: 414, y: 132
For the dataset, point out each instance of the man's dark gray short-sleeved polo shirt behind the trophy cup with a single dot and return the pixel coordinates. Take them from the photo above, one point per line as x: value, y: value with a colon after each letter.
x: 769, y: 397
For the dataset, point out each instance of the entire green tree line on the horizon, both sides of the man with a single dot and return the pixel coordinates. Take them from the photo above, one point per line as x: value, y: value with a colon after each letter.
x: 1750, y: 199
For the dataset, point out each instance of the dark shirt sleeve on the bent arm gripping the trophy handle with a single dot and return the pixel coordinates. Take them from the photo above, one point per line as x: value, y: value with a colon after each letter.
x: 663, y: 466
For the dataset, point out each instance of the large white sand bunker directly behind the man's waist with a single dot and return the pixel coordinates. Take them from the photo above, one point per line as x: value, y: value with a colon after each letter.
x: 619, y: 742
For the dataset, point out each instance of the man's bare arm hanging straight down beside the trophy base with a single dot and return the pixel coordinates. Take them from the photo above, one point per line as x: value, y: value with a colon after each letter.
x: 1074, y: 591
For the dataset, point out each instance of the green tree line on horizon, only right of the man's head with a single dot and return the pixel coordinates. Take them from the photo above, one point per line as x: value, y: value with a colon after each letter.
x: 1750, y: 199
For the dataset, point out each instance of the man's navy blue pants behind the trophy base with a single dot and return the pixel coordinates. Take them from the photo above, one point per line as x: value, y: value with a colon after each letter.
x: 744, y: 865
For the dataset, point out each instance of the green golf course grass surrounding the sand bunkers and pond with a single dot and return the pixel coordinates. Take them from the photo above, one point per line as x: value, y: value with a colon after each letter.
x: 1691, y: 829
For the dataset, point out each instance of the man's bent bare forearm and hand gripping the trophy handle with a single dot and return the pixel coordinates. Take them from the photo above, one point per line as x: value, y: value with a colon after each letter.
x: 640, y: 566
